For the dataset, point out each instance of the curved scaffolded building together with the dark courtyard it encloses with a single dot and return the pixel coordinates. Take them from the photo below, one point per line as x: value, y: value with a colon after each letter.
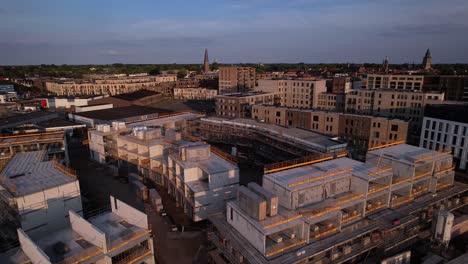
x: 261, y: 147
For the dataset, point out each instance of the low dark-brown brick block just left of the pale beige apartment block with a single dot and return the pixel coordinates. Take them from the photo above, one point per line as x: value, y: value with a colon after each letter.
x: 240, y: 104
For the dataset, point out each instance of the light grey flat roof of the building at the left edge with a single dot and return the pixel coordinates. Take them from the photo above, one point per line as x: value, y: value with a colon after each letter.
x: 27, y: 173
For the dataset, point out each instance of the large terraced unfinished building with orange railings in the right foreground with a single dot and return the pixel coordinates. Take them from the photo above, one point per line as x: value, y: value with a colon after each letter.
x: 325, y: 212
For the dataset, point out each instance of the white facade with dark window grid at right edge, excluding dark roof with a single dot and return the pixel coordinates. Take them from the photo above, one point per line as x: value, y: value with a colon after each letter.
x: 440, y: 134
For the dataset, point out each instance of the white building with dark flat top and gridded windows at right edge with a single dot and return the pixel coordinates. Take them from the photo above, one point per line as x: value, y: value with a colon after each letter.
x: 445, y: 127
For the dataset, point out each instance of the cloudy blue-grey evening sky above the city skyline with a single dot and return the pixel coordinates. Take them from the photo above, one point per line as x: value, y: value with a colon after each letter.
x: 233, y: 31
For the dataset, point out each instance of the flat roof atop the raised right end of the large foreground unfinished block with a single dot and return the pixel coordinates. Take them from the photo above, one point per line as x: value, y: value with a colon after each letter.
x: 410, y: 154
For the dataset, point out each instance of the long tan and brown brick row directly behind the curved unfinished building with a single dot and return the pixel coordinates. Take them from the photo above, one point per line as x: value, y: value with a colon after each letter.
x: 360, y: 131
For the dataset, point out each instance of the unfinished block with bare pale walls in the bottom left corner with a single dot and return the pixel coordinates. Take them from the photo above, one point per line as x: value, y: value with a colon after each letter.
x: 119, y: 236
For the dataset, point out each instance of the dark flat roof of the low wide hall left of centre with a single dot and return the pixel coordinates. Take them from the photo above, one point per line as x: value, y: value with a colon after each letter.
x: 121, y: 112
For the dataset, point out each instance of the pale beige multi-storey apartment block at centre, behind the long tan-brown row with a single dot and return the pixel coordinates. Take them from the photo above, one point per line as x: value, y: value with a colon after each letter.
x: 302, y: 93
